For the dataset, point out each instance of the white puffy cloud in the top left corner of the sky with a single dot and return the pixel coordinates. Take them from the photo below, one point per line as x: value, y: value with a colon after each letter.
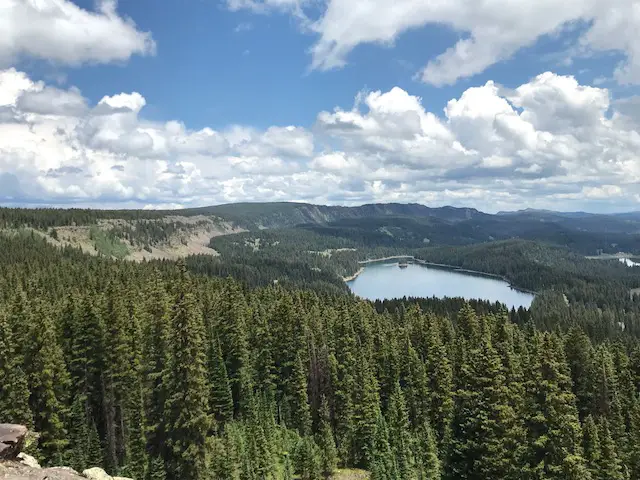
x: 62, y: 32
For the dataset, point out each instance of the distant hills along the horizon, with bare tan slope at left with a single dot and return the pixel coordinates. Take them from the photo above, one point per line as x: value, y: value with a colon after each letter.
x: 170, y: 234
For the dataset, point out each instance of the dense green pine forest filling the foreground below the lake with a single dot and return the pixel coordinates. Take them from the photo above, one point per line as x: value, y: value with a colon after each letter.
x: 158, y: 370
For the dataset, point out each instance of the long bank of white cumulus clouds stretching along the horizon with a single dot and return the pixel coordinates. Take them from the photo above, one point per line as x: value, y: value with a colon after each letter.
x: 549, y: 143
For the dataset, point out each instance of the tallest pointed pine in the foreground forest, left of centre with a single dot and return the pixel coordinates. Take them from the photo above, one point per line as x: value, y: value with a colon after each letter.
x: 186, y: 382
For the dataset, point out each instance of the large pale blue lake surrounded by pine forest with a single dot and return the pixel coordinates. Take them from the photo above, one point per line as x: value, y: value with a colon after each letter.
x: 380, y: 281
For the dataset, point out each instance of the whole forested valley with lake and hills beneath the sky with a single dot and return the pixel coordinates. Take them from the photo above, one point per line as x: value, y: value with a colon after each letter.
x: 284, y: 341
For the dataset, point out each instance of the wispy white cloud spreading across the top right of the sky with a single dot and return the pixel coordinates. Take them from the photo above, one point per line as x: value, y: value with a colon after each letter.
x: 489, y: 32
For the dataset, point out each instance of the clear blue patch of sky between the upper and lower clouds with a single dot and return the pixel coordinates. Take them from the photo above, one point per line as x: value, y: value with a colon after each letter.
x: 214, y: 67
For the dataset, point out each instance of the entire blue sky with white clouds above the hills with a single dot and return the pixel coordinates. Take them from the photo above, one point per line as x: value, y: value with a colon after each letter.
x: 497, y: 105
